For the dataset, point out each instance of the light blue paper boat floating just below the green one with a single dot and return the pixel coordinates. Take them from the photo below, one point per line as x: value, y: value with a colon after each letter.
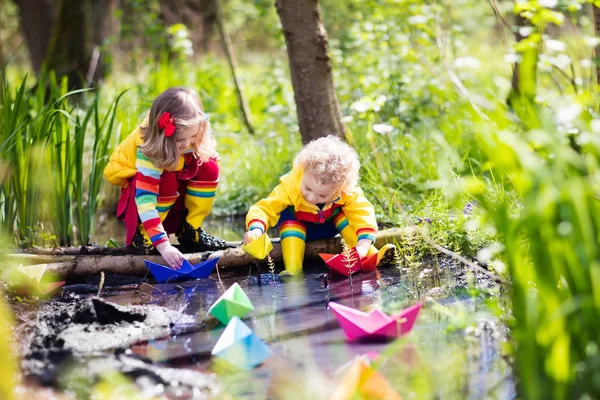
x: 239, y: 347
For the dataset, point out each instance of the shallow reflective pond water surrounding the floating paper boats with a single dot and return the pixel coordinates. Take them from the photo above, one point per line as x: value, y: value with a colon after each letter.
x: 453, y: 351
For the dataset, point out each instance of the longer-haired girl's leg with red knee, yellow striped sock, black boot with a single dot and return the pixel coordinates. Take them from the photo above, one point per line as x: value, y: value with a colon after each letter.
x: 198, y: 202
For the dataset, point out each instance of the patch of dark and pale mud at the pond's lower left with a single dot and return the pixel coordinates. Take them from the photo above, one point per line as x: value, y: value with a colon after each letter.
x: 93, y: 335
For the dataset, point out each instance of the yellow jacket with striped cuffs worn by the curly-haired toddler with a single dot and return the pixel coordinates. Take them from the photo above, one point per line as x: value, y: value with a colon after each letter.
x: 358, y: 210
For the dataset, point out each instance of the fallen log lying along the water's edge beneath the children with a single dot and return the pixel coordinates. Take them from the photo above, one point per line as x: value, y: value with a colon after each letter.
x: 86, y: 265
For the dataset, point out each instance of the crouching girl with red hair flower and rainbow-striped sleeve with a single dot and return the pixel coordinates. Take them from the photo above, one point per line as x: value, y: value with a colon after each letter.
x: 168, y: 173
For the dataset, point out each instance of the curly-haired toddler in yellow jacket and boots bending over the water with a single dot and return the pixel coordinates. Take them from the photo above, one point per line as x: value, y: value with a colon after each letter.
x: 317, y: 199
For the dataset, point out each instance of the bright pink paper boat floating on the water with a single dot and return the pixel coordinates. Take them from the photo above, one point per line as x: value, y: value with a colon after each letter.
x: 376, y: 325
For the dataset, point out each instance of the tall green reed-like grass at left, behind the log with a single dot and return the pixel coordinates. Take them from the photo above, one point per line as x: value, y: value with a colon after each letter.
x: 44, y: 148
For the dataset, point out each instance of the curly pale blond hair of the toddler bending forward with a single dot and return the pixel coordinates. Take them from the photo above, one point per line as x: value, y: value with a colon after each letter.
x: 332, y: 161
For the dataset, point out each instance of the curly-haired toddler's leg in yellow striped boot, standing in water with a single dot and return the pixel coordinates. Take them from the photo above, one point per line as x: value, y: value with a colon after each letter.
x: 293, y: 241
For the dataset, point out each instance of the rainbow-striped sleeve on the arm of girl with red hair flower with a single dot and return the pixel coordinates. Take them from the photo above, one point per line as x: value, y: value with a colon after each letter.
x: 146, y: 198
